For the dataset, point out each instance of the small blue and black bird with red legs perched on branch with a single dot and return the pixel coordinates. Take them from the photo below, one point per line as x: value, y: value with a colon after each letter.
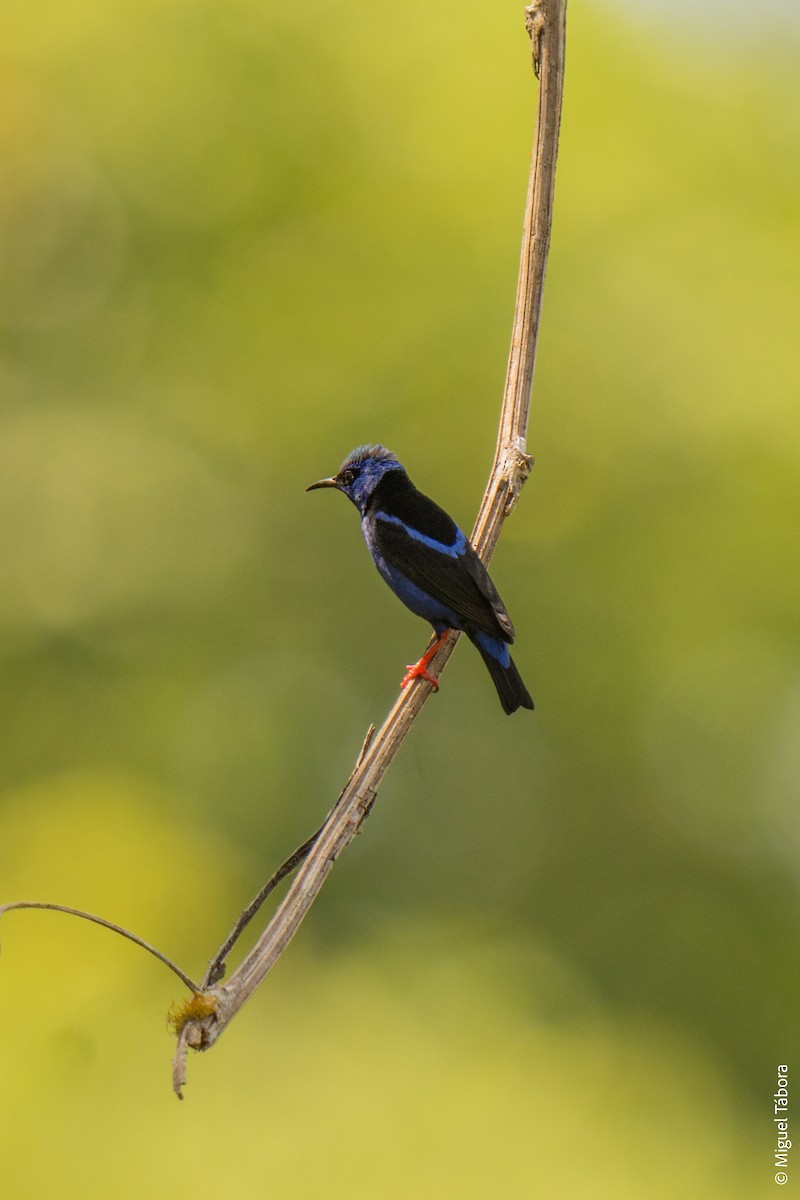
x: 430, y: 565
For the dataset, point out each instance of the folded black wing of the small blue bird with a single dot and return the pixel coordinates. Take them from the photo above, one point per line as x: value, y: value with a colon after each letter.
x: 461, y: 583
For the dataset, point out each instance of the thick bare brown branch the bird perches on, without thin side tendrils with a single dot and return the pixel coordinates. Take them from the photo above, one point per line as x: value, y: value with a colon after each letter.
x: 546, y: 26
